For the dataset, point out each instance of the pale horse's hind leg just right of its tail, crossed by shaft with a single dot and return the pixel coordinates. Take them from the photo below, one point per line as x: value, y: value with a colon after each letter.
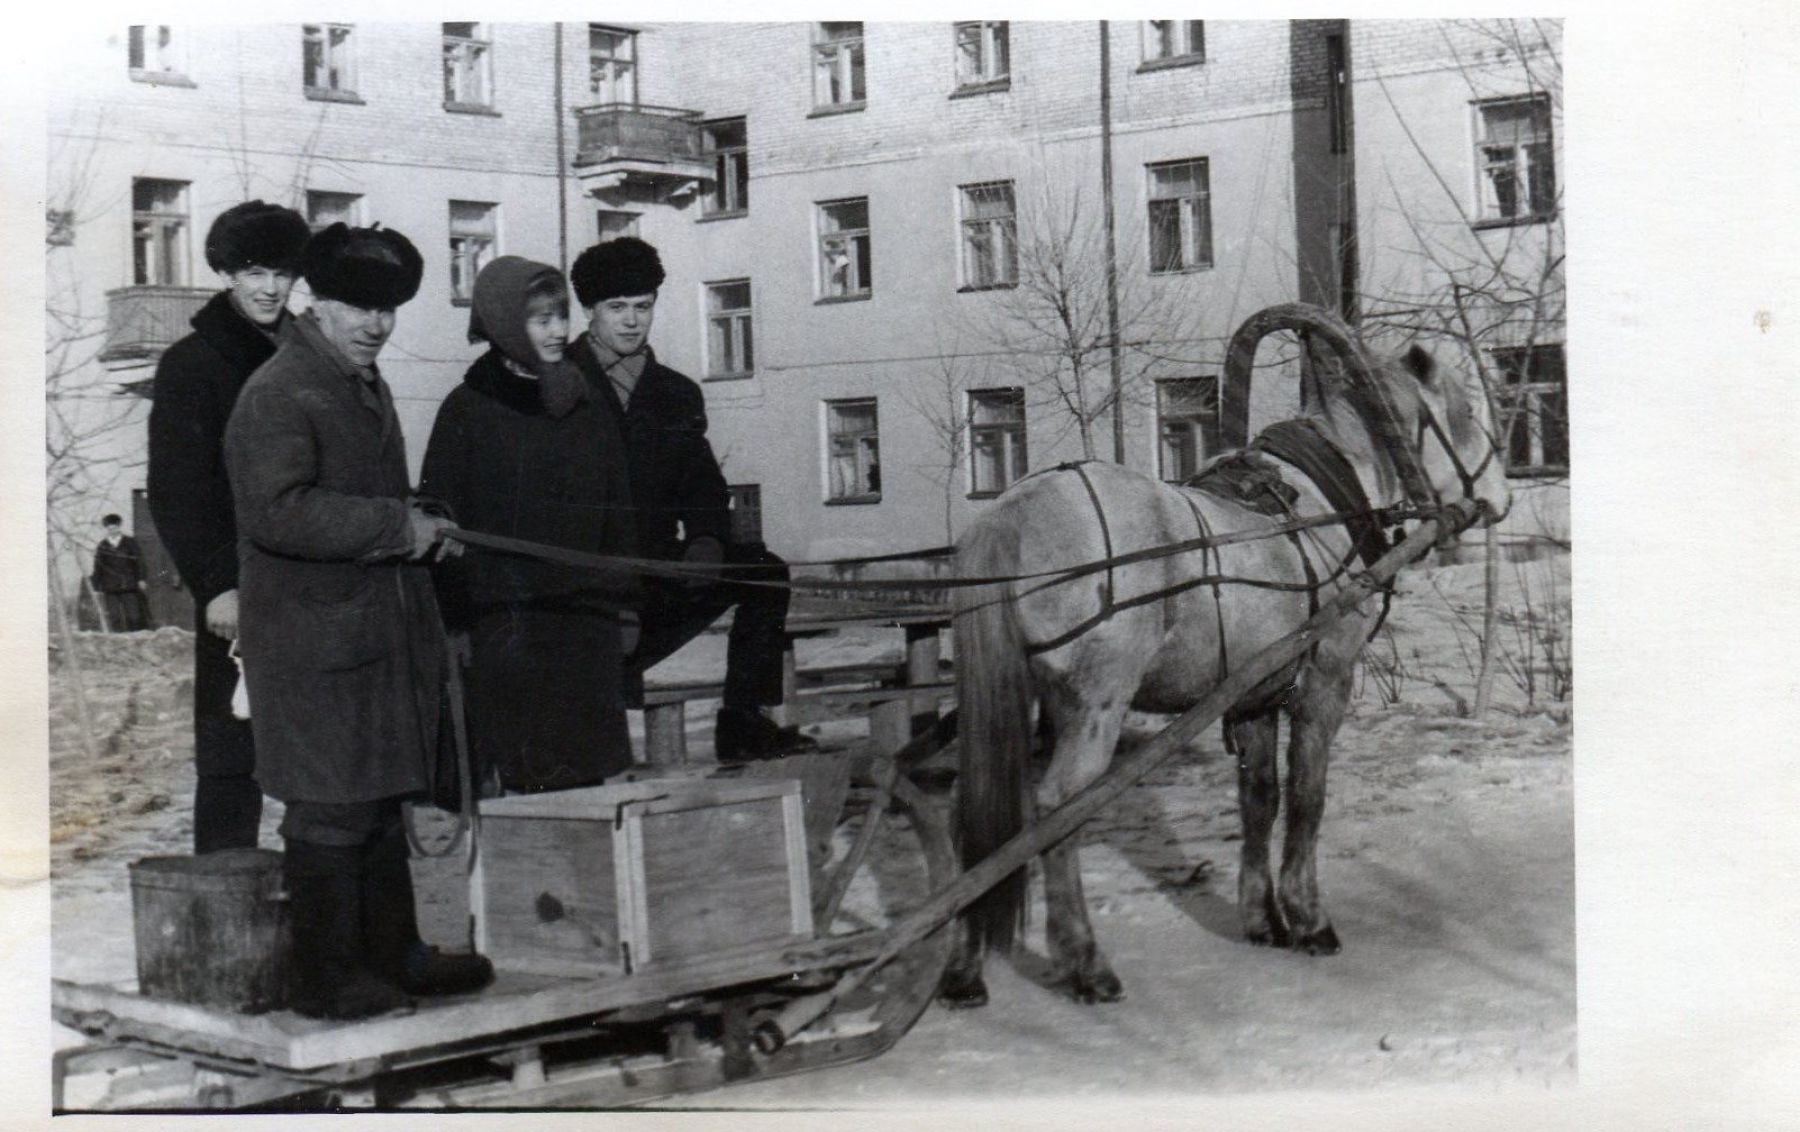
x: 1084, y: 748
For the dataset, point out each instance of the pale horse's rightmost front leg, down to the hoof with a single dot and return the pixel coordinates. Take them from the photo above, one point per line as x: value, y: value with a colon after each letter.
x: 1315, y: 723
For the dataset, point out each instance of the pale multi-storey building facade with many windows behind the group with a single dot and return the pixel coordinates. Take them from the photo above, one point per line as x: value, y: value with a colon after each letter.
x: 908, y: 262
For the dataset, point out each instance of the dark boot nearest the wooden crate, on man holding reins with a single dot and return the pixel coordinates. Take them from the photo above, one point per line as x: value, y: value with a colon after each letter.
x: 391, y: 926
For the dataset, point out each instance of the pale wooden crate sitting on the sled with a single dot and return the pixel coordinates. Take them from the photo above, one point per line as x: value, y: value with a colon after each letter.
x: 642, y: 876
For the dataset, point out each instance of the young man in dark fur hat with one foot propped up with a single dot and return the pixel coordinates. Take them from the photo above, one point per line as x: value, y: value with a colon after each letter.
x: 681, y: 503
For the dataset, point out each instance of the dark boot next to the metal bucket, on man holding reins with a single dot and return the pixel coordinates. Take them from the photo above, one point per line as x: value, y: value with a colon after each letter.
x: 325, y: 901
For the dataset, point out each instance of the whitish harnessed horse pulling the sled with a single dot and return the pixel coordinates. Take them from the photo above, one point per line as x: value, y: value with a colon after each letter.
x: 1162, y: 631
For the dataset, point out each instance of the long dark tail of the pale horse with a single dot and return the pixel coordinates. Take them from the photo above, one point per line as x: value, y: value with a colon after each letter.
x: 994, y: 701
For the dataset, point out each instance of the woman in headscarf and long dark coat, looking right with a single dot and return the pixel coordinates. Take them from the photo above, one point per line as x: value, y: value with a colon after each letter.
x: 521, y: 449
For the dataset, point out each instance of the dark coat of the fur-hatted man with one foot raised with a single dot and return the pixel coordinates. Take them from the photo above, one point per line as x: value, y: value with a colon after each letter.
x: 678, y: 487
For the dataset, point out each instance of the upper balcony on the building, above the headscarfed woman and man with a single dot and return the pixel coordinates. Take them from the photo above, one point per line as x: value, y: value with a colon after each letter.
x: 620, y: 143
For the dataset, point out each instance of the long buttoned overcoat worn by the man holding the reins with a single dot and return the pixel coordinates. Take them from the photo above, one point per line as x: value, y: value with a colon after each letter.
x: 341, y: 640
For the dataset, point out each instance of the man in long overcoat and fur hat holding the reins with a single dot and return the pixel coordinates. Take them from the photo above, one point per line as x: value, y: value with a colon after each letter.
x: 339, y: 631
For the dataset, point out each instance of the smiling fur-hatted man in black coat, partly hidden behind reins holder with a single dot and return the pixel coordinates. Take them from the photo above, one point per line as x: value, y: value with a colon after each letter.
x: 256, y: 249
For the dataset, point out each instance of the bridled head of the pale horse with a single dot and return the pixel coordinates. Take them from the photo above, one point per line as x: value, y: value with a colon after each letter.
x: 1452, y: 436
